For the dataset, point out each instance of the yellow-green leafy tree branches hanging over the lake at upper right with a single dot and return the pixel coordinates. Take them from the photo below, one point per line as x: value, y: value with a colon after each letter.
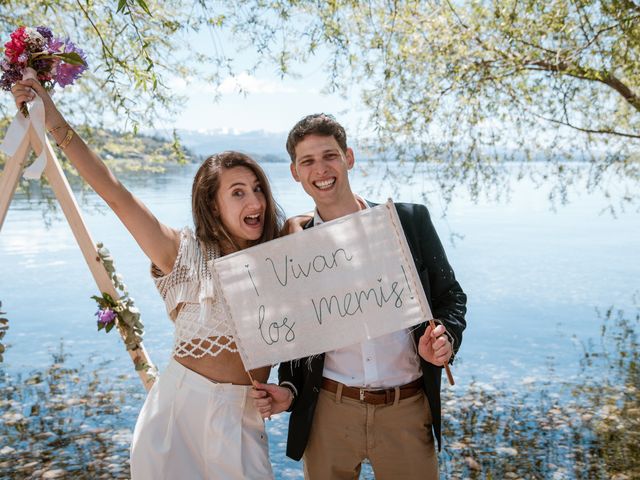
x: 470, y: 85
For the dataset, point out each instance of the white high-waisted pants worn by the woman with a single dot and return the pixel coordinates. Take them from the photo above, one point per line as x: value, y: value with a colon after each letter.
x: 192, y: 428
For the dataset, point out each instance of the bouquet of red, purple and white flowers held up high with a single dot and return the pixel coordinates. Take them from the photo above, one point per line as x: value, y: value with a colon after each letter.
x: 35, y: 53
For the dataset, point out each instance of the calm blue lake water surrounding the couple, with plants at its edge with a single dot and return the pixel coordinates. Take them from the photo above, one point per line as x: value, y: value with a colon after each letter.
x: 534, y: 279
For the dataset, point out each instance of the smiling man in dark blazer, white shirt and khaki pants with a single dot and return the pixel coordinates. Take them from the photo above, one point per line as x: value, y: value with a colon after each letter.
x: 379, y: 399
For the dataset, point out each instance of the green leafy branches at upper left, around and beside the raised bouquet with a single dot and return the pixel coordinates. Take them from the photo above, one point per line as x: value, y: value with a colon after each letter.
x: 135, y: 47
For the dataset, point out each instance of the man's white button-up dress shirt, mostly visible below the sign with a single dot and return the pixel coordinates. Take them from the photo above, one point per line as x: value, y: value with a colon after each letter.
x: 383, y: 362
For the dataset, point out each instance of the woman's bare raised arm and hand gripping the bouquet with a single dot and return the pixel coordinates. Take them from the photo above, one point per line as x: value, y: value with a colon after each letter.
x: 159, y: 242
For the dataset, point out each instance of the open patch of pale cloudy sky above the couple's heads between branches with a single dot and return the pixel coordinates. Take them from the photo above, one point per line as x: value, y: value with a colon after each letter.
x: 267, y: 102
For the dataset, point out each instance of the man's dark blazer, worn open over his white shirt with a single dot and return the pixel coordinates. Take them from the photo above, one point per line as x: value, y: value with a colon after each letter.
x: 448, y: 305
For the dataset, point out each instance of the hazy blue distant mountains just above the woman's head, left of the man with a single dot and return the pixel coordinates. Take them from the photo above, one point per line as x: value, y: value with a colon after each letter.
x: 265, y: 146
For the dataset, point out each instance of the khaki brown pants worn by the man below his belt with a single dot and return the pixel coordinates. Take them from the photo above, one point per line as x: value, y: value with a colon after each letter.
x: 397, y: 439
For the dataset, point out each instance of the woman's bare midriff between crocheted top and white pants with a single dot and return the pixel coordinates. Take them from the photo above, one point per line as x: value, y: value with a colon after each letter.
x: 225, y: 367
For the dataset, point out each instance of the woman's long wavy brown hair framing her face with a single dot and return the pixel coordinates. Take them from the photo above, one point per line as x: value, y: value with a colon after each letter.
x: 206, y: 216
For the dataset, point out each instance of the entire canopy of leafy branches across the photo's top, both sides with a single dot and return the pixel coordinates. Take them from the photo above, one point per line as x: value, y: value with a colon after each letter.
x: 465, y: 84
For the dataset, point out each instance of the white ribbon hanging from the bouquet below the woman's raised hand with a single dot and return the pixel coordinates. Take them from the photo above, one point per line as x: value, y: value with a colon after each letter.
x: 19, y: 128
